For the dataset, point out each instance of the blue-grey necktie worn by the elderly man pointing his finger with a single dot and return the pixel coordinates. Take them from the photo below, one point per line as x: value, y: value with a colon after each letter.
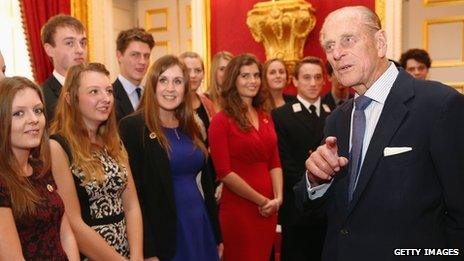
x: 359, y: 127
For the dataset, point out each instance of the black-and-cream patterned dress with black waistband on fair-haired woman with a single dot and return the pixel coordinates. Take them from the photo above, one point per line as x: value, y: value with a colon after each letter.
x: 101, y: 204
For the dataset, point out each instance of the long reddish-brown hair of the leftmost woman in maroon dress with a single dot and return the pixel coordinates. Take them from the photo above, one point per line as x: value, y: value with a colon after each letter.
x: 24, y: 199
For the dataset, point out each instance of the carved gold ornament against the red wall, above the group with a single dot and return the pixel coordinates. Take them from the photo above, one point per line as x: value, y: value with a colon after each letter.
x: 282, y: 26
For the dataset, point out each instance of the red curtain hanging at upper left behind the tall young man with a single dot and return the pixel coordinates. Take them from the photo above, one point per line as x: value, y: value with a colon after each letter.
x: 35, y: 14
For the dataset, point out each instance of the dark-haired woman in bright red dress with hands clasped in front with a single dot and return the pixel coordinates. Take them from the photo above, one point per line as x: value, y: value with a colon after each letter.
x: 244, y: 149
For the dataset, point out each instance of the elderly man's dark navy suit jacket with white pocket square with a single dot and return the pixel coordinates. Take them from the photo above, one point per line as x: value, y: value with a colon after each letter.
x: 408, y: 200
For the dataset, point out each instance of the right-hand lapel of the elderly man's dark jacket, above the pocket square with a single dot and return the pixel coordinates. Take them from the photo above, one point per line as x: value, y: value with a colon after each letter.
x: 390, y: 120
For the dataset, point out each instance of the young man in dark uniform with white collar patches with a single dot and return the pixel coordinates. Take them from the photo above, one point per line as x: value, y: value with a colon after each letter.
x: 299, y: 127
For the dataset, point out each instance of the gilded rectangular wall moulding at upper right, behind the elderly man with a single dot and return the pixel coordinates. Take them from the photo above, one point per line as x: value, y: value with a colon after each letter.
x: 425, y: 39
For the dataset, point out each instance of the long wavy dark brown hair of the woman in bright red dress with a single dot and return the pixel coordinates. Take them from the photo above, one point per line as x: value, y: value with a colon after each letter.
x: 231, y: 100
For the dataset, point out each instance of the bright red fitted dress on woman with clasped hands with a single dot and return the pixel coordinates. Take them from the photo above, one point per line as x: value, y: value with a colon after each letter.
x: 247, y: 235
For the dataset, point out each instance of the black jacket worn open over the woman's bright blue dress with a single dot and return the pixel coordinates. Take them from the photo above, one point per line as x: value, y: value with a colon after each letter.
x: 150, y: 167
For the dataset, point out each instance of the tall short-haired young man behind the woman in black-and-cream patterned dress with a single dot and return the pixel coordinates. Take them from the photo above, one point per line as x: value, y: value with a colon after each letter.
x: 64, y: 41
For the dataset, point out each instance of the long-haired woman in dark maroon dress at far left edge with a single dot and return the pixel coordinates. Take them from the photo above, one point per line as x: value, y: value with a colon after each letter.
x: 32, y: 221
